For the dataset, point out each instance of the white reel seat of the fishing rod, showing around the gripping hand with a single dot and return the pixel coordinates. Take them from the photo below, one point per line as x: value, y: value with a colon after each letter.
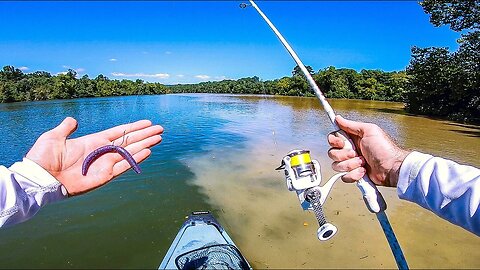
x: 371, y: 196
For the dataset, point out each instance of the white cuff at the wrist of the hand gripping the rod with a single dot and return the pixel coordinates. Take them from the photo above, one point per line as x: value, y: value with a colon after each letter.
x: 409, y: 170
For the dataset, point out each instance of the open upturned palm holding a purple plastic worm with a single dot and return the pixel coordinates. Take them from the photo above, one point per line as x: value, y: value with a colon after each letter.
x: 63, y: 158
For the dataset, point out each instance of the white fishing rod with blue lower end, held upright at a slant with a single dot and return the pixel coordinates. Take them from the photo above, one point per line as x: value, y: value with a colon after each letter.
x: 371, y: 196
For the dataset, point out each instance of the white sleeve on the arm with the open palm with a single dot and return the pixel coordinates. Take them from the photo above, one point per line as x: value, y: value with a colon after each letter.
x: 24, y: 188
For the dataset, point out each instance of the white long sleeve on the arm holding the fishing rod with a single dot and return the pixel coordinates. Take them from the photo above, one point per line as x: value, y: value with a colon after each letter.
x: 448, y: 189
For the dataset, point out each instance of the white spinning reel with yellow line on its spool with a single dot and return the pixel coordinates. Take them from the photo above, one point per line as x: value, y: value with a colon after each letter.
x: 303, y: 175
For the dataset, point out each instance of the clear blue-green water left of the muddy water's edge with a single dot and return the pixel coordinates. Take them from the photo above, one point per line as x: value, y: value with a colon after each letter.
x: 130, y: 222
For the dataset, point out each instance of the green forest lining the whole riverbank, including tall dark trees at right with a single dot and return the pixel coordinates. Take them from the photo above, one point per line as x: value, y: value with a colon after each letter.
x: 436, y: 82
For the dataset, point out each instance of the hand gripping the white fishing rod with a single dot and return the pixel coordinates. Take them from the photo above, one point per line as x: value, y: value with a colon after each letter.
x: 376, y: 153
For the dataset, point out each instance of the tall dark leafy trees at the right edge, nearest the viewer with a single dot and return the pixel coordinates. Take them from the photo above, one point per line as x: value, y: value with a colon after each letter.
x: 443, y: 83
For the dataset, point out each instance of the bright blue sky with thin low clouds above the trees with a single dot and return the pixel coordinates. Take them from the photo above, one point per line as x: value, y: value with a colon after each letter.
x: 193, y: 41
